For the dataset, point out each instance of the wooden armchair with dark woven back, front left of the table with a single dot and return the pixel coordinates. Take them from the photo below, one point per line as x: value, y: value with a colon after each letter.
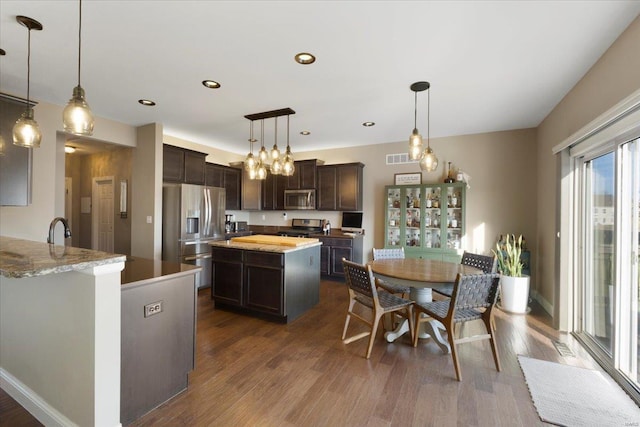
x: 363, y: 290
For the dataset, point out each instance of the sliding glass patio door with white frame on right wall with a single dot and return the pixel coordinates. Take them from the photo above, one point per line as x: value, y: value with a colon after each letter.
x: 609, y: 217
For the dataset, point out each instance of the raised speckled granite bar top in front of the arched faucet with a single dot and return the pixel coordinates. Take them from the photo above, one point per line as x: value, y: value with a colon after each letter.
x: 25, y: 258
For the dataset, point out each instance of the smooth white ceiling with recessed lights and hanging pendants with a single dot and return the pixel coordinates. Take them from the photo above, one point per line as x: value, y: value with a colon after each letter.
x: 492, y: 65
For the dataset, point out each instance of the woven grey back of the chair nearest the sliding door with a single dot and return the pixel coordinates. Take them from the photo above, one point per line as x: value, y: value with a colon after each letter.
x: 475, y: 291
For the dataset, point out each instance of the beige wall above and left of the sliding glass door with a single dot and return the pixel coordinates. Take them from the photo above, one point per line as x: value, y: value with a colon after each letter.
x: 614, y: 77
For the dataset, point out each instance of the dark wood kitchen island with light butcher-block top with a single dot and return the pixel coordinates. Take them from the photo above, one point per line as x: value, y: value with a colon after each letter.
x: 273, y: 277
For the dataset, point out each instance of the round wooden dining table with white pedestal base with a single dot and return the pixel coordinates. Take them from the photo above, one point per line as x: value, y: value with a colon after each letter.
x: 421, y: 275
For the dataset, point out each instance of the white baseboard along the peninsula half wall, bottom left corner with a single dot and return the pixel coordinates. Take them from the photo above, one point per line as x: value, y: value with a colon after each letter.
x: 32, y: 402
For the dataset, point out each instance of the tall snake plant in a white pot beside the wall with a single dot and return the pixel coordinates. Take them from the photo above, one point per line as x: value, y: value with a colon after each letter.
x: 514, y: 286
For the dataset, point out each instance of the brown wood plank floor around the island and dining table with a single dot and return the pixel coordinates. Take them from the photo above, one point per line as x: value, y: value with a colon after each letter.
x: 251, y: 372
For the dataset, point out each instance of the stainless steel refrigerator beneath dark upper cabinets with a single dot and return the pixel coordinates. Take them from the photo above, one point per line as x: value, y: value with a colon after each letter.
x: 192, y: 216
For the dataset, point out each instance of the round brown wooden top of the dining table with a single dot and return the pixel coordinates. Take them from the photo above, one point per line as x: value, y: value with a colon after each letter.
x: 421, y: 270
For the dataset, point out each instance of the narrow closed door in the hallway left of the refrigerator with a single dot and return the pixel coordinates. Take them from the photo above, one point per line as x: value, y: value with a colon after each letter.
x: 102, y: 216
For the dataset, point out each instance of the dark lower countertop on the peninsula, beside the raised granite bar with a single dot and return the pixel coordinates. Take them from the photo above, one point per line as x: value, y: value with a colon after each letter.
x: 143, y: 270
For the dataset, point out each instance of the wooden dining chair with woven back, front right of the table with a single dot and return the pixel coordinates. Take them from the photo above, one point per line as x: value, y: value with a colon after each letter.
x: 474, y: 297
